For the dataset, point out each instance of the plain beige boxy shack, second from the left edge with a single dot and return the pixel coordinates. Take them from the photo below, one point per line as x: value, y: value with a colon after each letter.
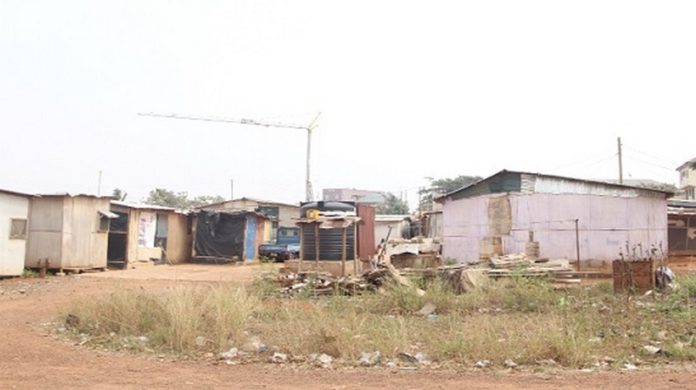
x: 68, y: 231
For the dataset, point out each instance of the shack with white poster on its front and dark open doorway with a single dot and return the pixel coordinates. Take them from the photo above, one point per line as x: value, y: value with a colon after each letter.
x: 145, y: 232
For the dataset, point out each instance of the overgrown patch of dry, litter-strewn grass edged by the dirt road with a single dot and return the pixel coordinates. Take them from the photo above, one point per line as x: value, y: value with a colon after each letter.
x: 526, y: 320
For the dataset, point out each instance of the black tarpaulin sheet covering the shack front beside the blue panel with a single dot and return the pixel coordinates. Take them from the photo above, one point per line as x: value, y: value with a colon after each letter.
x: 220, y: 234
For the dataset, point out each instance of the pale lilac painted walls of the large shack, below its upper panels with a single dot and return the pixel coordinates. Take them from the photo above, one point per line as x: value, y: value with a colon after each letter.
x: 606, y: 223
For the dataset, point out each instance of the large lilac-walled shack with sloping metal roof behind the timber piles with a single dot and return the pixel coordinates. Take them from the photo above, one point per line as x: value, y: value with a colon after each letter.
x: 500, y: 214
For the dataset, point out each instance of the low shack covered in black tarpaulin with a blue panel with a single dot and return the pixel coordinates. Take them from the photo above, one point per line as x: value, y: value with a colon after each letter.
x: 222, y: 236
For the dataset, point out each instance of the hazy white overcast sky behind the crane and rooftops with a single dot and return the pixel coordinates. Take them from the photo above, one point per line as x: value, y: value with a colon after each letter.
x: 406, y: 90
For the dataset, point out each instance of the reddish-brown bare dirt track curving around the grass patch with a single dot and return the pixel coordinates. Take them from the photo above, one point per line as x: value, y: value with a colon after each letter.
x: 31, y: 358
